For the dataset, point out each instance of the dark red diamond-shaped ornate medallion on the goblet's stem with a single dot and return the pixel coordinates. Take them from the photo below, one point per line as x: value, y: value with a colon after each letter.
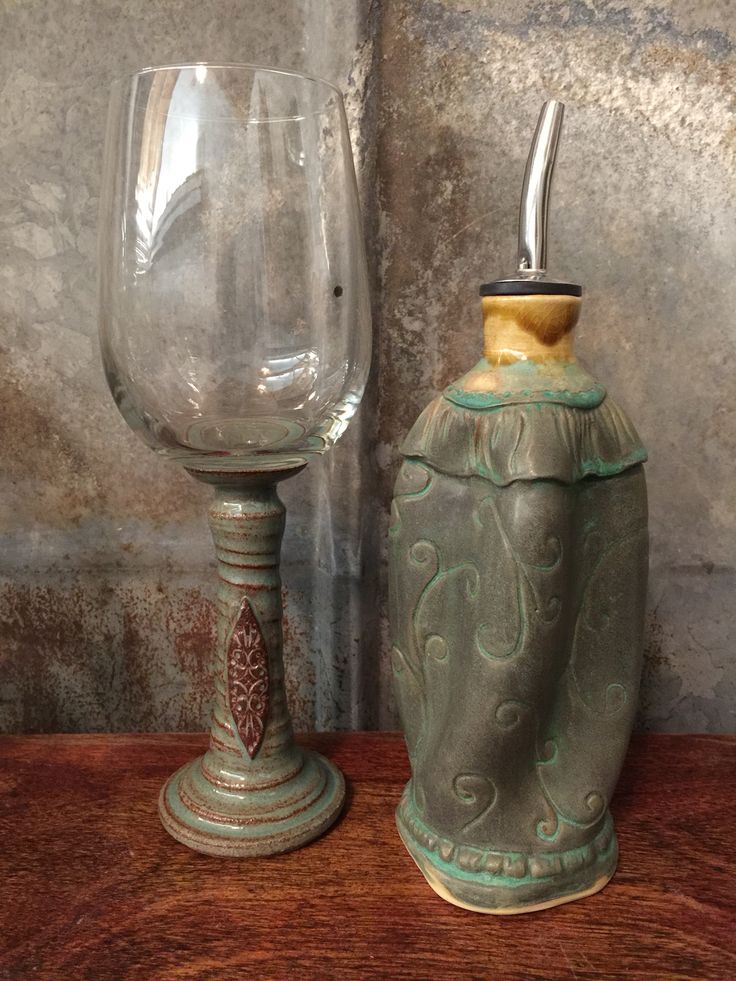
x: 247, y: 674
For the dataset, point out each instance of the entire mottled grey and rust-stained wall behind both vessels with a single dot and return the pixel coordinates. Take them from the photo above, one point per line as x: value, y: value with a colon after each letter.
x: 105, y: 559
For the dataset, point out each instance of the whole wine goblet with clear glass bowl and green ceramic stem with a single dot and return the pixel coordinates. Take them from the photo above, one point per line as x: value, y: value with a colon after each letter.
x: 235, y: 334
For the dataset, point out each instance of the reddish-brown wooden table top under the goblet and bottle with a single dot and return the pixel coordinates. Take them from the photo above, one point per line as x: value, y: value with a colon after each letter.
x: 91, y: 887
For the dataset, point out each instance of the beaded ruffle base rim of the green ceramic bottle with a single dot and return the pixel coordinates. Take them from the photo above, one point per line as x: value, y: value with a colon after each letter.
x: 505, y: 884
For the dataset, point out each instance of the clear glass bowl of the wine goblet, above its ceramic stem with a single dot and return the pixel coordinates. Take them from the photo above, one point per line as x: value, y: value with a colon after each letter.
x: 234, y: 312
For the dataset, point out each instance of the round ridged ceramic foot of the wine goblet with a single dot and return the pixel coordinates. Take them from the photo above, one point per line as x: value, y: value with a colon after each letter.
x: 217, y: 817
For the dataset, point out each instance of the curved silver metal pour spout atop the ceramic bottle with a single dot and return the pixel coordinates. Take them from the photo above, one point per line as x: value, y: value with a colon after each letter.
x: 535, y: 192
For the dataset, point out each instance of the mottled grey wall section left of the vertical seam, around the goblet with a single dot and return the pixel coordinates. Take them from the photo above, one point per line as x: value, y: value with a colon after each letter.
x: 106, y: 564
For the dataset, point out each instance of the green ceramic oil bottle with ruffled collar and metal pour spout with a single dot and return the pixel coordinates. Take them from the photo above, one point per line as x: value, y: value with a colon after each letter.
x: 518, y: 566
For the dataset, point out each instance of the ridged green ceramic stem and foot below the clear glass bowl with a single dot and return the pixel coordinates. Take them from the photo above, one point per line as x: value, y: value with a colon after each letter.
x: 237, y: 800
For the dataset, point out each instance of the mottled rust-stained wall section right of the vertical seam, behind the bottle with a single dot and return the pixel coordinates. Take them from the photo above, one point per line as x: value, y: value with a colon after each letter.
x: 644, y: 215
